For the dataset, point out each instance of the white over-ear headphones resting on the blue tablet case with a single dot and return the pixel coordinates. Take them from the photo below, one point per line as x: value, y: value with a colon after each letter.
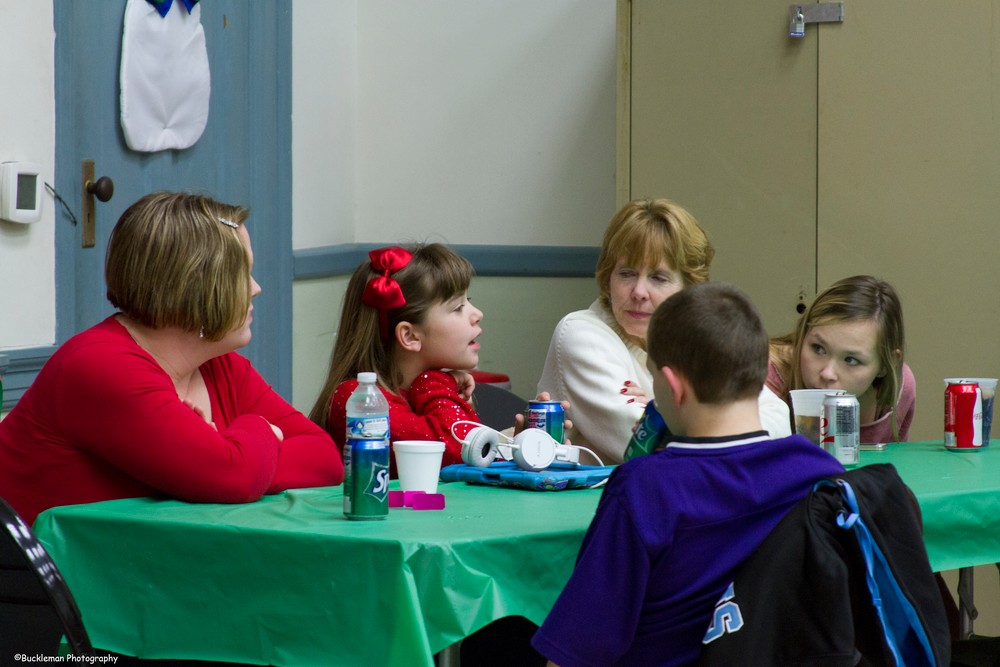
x: 532, y: 449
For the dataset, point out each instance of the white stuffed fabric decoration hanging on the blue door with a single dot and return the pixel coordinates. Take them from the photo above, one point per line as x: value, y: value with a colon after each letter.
x: 165, y: 80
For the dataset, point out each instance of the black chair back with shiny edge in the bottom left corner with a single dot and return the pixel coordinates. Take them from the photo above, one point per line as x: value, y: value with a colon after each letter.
x: 36, y: 604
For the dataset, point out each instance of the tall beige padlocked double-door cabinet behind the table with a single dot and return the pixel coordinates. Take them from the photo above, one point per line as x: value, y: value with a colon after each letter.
x: 848, y: 169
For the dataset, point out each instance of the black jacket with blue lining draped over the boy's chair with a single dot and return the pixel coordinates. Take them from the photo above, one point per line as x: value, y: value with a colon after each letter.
x: 845, y: 576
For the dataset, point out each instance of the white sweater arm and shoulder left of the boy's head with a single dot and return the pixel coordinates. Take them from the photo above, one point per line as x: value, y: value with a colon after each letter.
x: 588, y: 364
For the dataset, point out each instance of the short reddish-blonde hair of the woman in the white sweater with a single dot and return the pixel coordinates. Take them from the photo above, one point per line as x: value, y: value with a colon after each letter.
x: 647, y: 232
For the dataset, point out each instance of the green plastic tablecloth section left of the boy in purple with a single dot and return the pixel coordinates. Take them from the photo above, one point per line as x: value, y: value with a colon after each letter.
x: 288, y: 581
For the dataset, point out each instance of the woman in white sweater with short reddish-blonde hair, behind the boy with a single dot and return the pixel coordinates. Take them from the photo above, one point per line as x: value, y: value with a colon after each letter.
x: 597, y: 357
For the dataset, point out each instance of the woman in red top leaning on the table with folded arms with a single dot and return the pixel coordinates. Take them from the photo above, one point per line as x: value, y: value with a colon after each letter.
x: 154, y: 401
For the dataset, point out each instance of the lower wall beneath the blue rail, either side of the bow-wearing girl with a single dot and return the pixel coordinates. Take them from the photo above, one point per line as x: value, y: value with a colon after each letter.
x: 519, y: 316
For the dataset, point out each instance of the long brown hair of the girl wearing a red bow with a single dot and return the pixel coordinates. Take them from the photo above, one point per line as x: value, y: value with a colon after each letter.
x: 434, y: 274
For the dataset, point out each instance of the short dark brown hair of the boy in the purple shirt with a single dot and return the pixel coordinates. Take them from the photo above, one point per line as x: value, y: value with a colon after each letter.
x: 712, y: 334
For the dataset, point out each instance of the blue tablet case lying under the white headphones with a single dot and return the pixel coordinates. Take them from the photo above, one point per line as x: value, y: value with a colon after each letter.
x: 557, y: 477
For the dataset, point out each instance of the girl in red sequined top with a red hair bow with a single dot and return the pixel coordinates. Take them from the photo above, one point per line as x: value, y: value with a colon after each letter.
x: 407, y: 316
